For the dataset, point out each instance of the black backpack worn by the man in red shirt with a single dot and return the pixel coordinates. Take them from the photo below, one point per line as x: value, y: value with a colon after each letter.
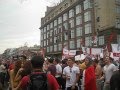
x: 38, y: 82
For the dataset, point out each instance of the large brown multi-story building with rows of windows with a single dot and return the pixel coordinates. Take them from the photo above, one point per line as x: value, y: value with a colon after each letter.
x: 75, y: 23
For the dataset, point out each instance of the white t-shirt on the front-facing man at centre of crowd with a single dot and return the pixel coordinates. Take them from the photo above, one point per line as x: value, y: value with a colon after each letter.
x: 72, y: 73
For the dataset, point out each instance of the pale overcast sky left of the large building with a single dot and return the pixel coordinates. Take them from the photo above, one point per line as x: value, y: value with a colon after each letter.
x: 20, y: 22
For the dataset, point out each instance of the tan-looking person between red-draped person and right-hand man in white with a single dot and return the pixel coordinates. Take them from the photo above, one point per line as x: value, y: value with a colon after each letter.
x: 98, y: 73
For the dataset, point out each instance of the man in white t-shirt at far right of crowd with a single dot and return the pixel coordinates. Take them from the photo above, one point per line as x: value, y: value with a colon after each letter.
x: 108, y: 71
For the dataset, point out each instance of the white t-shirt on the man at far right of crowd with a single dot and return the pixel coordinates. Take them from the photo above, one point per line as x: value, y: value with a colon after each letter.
x: 108, y: 71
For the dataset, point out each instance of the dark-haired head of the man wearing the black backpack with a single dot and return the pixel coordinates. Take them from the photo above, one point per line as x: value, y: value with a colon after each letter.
x: 37, y: 62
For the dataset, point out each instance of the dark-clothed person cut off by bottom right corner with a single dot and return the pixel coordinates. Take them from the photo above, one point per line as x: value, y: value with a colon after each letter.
x: 115, y: 80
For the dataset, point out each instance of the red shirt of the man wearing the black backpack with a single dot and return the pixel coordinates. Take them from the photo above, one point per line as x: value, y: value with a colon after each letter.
x: 51, y: 81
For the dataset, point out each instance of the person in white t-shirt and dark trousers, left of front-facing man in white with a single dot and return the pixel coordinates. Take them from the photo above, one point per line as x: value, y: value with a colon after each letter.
x: 58, y: 71
